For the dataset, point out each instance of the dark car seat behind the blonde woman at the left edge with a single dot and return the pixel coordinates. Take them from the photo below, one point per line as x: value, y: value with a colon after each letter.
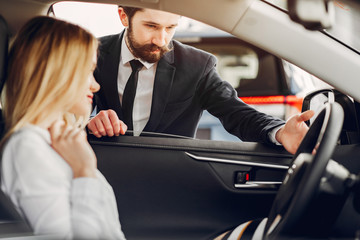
x: 11, y: 222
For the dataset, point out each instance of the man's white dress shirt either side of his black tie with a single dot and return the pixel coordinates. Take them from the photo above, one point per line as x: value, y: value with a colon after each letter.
x: 144, y: 90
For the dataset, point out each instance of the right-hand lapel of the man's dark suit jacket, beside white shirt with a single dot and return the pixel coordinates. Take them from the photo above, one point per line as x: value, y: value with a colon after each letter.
x: 162, y: 87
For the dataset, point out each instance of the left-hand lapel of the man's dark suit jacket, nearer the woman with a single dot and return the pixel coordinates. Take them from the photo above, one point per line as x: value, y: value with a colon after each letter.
x: 110, y: 74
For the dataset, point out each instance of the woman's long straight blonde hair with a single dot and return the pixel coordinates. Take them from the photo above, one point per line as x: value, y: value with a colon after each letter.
x: 49, y: 63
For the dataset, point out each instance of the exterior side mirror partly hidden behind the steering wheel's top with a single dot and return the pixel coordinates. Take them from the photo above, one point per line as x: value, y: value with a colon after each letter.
x: 316, y: 100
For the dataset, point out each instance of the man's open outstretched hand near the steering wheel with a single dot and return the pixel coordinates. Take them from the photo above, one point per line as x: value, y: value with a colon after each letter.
x: 293, y: 132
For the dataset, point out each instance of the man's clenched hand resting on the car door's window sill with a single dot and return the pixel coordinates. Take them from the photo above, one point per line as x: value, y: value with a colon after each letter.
x: 106, y: 123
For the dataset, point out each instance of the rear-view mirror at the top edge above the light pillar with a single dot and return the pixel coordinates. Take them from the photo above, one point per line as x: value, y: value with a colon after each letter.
x: 312, y: 14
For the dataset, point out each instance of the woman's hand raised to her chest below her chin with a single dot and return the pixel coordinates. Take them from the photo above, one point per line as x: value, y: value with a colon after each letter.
x: 71, y: 143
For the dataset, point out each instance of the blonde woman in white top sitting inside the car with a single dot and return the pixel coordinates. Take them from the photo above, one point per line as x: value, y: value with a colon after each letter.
x: 48, y: 168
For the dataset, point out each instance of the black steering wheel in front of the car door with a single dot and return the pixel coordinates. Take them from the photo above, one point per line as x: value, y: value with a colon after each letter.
x: 302, y: 181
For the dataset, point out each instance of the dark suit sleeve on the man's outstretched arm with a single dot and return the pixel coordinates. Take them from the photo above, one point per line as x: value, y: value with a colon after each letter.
x: 238, y: 118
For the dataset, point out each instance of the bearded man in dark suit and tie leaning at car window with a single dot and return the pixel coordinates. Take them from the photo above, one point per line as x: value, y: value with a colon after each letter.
x: 174, y: 85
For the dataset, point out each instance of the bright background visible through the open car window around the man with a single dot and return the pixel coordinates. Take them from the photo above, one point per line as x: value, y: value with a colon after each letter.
x: 260, y: 79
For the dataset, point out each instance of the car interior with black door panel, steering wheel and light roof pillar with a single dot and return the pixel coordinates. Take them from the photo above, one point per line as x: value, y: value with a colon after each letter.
x: 174, y: 187
